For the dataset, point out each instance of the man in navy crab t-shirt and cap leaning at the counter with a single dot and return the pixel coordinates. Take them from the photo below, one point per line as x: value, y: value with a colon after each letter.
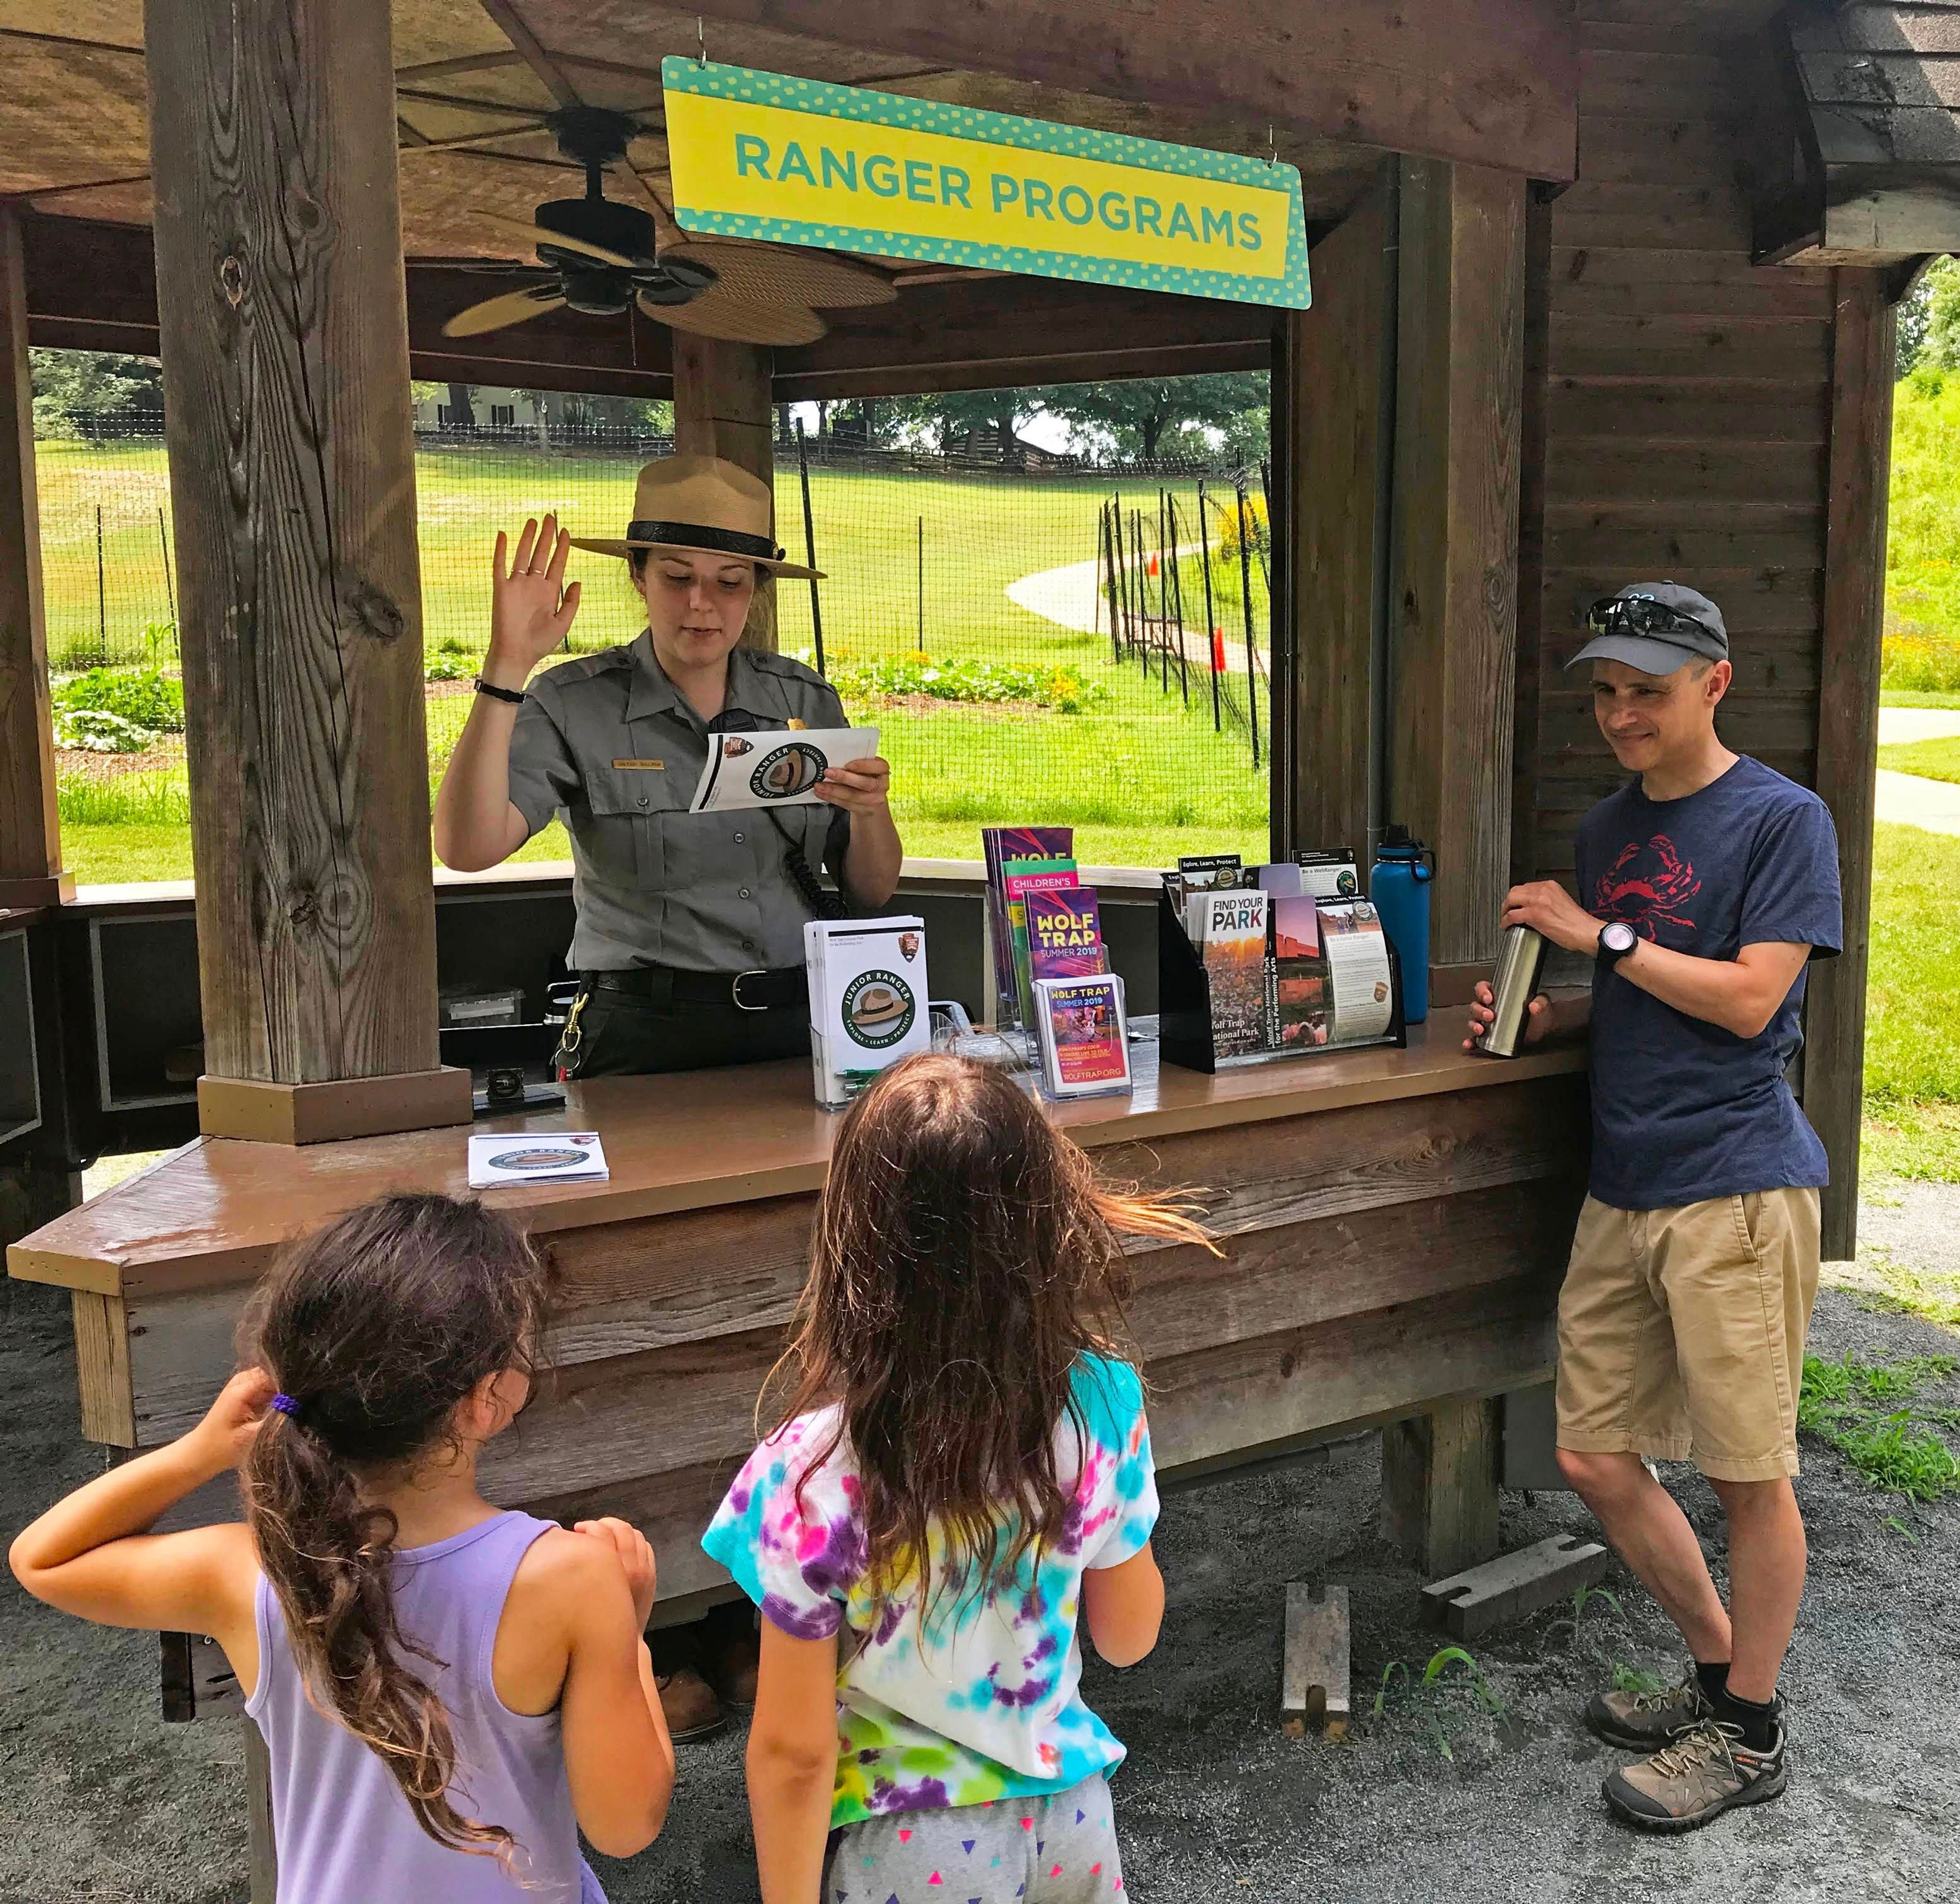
x: 1704, y: 888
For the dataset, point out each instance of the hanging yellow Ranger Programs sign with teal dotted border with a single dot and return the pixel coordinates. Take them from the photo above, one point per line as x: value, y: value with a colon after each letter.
x: 799, y: 162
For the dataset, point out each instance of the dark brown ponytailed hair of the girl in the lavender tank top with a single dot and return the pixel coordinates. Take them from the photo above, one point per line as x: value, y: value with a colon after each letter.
x: 377, y: 1327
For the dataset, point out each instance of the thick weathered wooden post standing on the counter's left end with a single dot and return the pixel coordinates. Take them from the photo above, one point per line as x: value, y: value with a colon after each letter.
x: 285, y: 361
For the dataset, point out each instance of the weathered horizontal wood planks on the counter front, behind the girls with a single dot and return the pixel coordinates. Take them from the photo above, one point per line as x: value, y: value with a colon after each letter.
x: 1377, y: 1259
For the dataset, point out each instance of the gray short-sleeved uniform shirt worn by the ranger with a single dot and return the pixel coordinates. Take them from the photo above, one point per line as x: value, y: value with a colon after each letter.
x: 614, y: 747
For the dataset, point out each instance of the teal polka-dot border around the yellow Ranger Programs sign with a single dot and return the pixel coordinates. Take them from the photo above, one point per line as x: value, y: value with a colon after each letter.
x: 1006, y: 130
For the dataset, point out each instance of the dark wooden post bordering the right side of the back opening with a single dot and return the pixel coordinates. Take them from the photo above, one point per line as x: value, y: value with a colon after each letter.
x: 1336, y: 442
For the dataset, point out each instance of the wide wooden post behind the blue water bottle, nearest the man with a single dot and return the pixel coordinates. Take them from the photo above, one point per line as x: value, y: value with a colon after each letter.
x: 1453, y: 563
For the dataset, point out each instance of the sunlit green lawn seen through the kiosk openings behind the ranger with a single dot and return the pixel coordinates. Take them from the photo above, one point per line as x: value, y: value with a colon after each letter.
x: 1140, y: 775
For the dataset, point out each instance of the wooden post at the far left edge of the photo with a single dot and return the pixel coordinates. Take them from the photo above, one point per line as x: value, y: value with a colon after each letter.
x: 30, y: 828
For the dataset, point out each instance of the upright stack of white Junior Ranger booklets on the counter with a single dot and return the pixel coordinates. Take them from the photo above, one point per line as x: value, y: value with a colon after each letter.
x: 867, y: 1000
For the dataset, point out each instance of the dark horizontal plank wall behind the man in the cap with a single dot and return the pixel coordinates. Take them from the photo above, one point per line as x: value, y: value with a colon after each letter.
x: 1689, y: 405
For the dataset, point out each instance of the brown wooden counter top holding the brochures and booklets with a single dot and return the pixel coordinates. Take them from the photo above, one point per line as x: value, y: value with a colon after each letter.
x: 219, y: 1210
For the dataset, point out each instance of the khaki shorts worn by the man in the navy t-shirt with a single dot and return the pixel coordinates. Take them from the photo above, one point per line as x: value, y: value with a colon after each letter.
x: 1681, y: 1333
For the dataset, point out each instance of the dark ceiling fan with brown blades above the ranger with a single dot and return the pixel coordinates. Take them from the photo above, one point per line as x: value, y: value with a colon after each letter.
x: 603, y: 258
